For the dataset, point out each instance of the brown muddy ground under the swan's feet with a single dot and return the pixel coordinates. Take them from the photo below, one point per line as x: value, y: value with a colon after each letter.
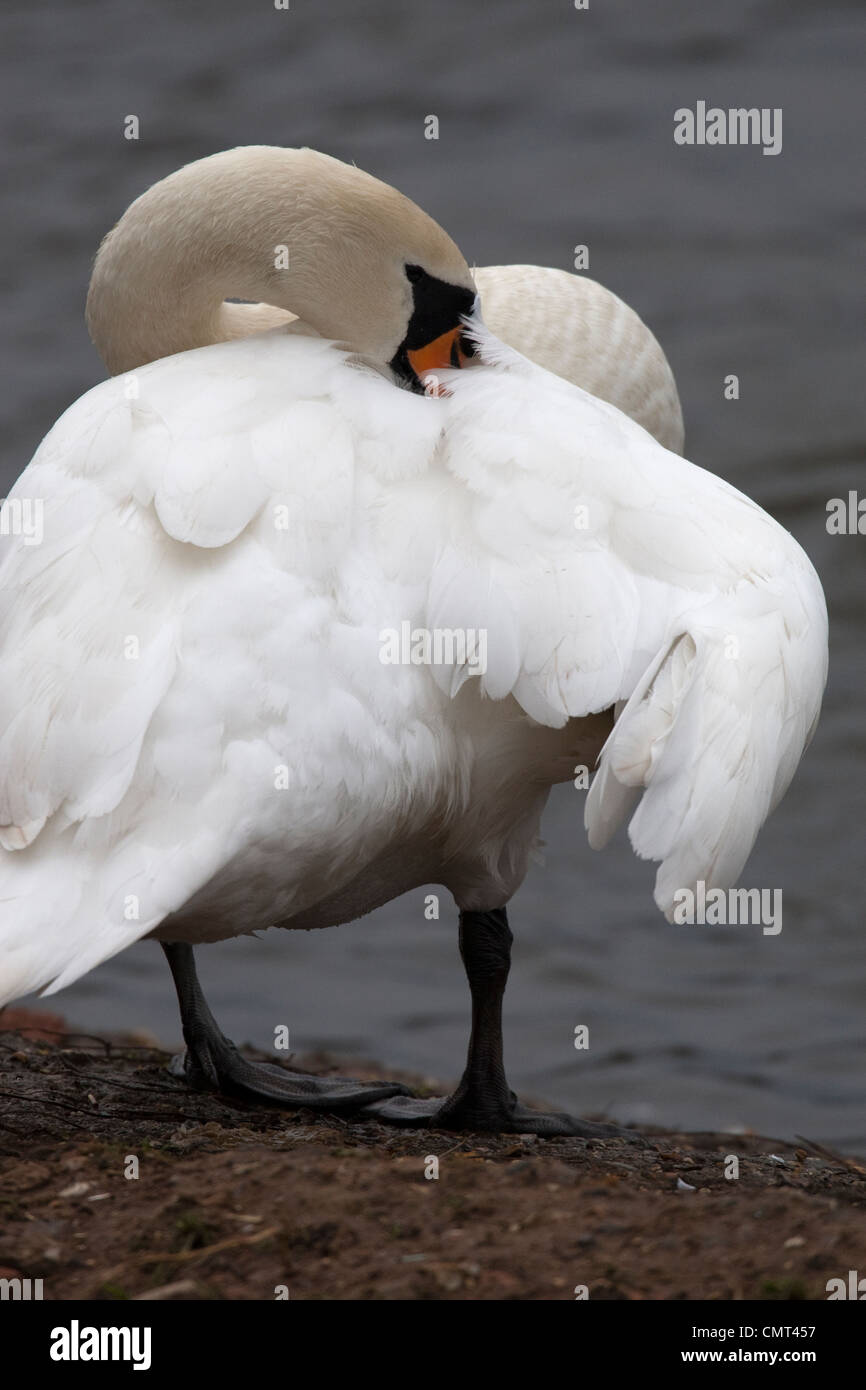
x: 238, y: 1202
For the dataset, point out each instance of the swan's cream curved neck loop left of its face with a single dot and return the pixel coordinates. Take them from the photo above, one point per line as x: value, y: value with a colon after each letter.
x: 216, y: 230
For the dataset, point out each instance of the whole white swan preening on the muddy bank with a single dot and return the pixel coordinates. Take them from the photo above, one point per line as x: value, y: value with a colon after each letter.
x: 205, y: 729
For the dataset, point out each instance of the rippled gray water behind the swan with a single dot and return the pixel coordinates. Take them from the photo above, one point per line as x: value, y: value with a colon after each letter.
x: 557, y: 130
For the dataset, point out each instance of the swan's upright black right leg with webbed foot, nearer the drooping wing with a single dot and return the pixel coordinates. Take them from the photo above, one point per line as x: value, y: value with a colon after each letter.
x: 484, y: 1100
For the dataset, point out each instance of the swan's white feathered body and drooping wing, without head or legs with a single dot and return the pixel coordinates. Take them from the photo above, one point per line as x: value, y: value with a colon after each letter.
x: 199, y: 737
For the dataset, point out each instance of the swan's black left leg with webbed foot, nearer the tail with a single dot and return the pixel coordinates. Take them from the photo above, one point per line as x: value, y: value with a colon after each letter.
x: 215, y: 1064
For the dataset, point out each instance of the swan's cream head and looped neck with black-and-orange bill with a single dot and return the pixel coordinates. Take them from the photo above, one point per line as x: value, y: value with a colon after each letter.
x: 350, y: 256
